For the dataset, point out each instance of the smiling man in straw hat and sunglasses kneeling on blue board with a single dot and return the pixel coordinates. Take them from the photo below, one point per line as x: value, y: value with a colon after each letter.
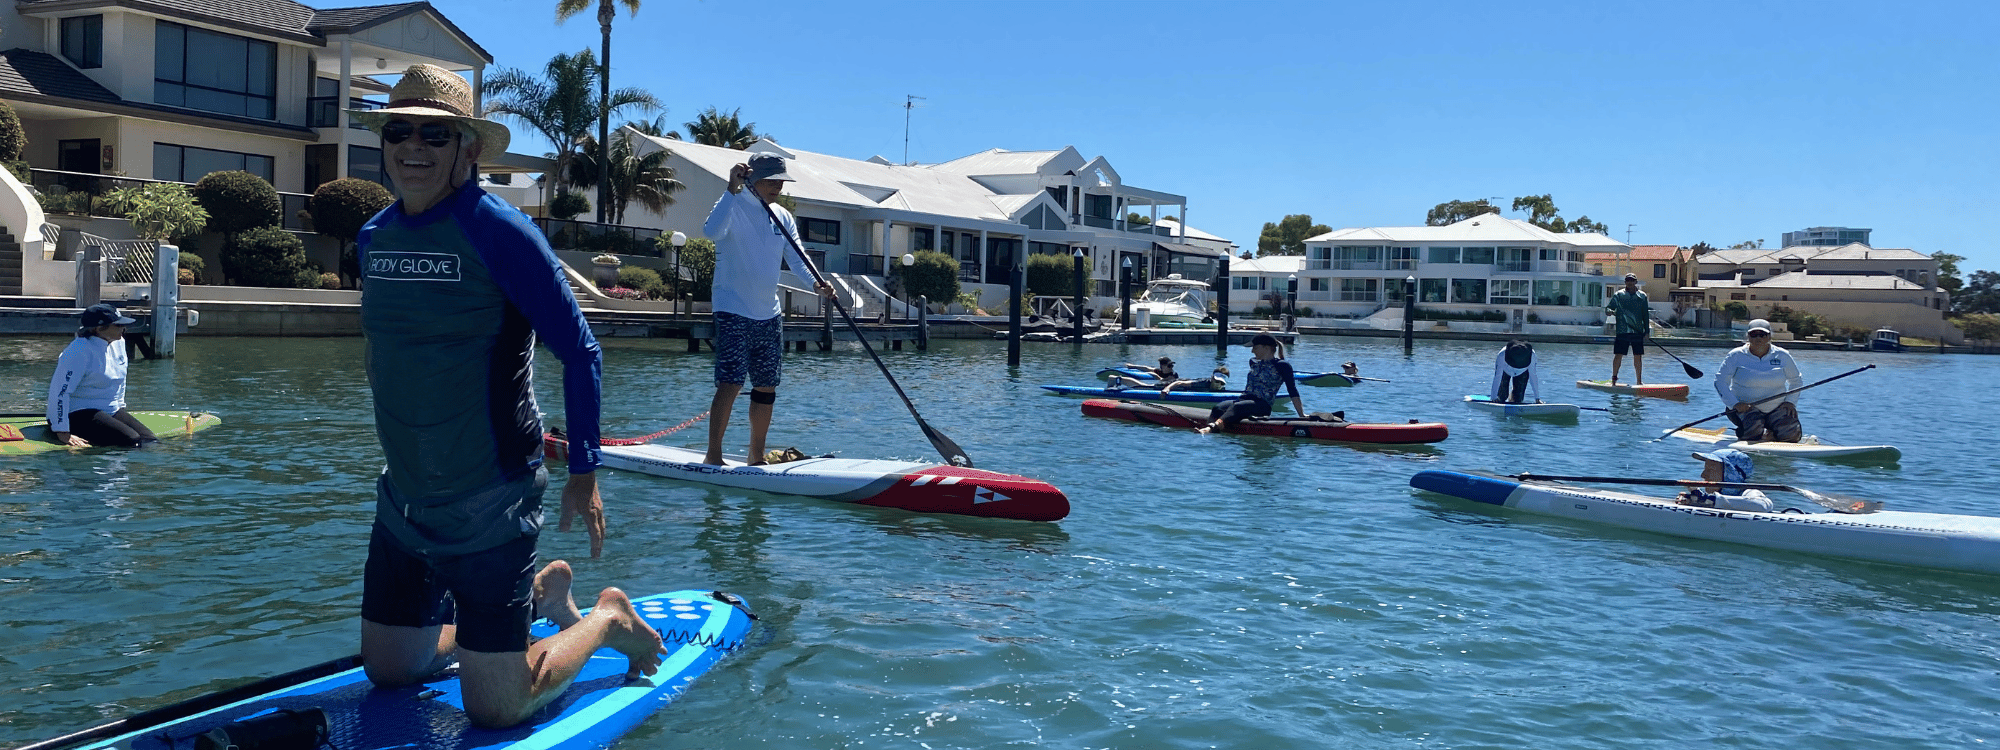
x: 461, y: 285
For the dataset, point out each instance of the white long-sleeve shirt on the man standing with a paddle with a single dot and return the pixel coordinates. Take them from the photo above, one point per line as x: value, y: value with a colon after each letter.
x: 749, y: 251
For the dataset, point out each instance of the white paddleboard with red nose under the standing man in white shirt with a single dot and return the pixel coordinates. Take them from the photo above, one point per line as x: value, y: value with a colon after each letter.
x: 861, y: 481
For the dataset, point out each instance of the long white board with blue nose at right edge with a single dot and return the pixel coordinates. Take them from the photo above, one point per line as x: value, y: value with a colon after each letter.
x: 1907, y: 539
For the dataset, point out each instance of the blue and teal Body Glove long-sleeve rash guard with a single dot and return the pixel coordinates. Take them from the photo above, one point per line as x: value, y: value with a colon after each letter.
x: 453, y: 307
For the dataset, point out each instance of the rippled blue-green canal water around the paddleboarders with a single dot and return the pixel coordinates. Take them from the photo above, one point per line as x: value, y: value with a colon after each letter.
x: 1207, y: 593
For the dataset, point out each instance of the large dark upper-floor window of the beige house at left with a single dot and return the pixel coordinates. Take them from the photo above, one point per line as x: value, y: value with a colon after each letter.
x: 215, y: 73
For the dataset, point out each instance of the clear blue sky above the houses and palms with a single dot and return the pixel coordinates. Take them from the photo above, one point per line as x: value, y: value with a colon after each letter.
x: 1695, y: 121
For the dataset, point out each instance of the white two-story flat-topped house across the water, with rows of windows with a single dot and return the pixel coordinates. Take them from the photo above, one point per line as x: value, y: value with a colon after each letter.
x: 1483, y: 265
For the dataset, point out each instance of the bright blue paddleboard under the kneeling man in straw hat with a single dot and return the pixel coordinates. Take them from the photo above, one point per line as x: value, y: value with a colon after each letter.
x: 601, y: 705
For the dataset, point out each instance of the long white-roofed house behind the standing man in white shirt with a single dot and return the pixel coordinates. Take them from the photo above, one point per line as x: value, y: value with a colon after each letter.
x: 987, y: 211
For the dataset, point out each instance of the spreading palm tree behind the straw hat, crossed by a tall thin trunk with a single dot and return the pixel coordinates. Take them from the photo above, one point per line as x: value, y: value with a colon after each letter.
x: 557, y: 103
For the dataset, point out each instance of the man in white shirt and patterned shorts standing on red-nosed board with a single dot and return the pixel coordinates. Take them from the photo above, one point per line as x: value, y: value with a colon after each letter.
x: 749, y: 315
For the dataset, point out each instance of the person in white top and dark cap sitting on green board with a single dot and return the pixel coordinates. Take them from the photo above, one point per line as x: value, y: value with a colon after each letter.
x: 87, y: 395
